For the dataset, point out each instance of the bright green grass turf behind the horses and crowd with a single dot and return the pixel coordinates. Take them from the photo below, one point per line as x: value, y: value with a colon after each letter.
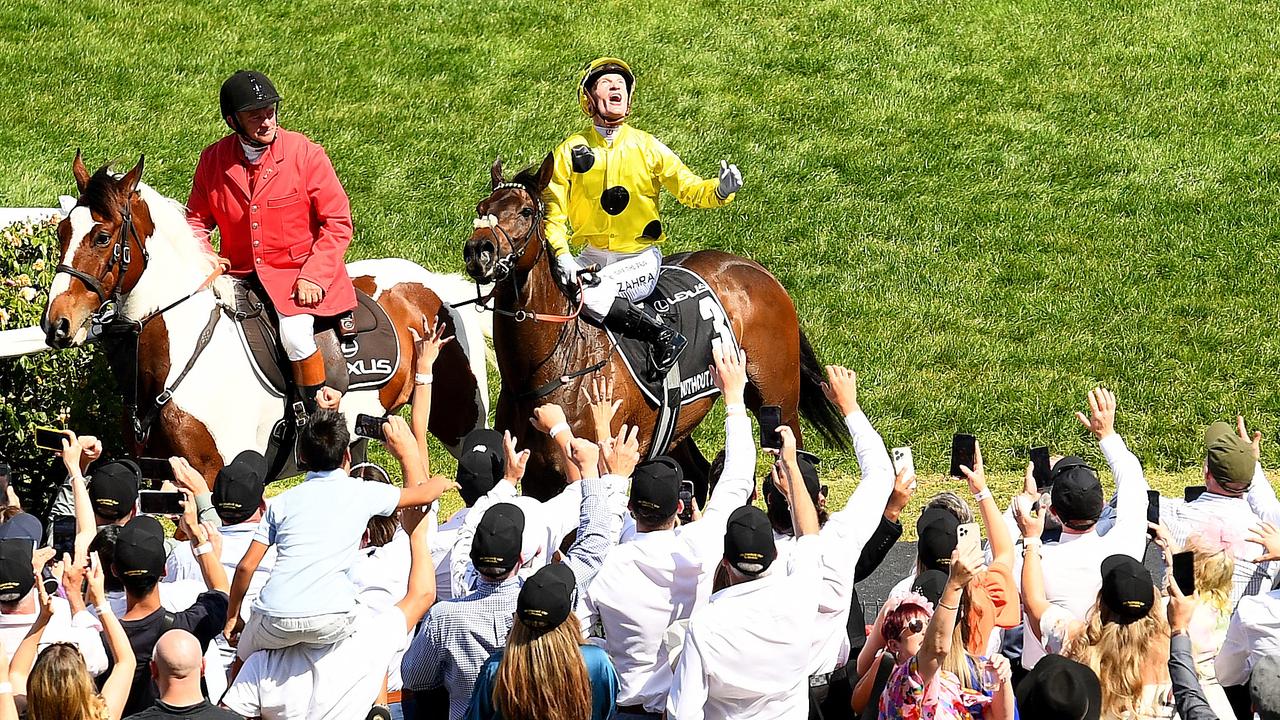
x: 985, y: 208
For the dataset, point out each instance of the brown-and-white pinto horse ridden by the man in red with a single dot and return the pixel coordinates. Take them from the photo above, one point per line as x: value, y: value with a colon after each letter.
x: 129, y: 257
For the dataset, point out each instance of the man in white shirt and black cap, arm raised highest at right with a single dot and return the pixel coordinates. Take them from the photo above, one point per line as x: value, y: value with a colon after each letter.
x: 1075, y: 580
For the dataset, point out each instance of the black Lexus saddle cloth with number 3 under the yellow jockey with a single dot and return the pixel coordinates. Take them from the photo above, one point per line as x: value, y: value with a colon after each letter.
x: 687, y: 303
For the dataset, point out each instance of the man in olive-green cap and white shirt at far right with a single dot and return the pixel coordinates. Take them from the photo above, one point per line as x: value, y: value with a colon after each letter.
x: 1237, y: 495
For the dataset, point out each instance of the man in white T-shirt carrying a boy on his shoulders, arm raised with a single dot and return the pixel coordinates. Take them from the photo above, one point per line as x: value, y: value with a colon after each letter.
x: 340, y: 682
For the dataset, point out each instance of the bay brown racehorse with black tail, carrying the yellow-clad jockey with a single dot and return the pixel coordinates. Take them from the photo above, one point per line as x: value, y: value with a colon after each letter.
x: 511, y: 252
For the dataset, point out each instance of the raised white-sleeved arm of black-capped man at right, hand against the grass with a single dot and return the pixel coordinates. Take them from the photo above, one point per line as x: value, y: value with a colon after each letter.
x: 1131, y: 485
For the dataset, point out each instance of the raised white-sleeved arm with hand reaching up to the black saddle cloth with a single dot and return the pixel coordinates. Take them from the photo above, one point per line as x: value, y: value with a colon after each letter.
x: 738, y: 479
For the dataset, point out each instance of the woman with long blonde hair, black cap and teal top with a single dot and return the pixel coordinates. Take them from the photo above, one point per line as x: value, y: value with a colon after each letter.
x: 546, y: 673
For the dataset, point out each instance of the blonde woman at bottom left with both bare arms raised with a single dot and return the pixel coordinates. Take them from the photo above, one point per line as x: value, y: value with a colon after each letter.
x: 58, y: 687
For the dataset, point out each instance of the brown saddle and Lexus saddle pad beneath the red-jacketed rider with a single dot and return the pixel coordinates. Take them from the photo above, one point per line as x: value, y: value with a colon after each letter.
x: 362, y: 349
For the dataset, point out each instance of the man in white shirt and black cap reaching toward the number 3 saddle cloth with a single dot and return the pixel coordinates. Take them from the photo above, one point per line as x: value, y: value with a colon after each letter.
x: 666, y: 572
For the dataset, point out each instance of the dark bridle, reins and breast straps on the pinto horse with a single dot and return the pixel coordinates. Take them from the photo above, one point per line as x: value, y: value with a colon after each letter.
x: 108, y: 316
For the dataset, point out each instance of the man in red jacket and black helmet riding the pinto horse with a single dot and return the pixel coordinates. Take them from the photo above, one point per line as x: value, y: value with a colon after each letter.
x: 282, y: 215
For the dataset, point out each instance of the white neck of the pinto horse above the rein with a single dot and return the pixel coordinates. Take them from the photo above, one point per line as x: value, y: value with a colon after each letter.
x: 176, y: 263
